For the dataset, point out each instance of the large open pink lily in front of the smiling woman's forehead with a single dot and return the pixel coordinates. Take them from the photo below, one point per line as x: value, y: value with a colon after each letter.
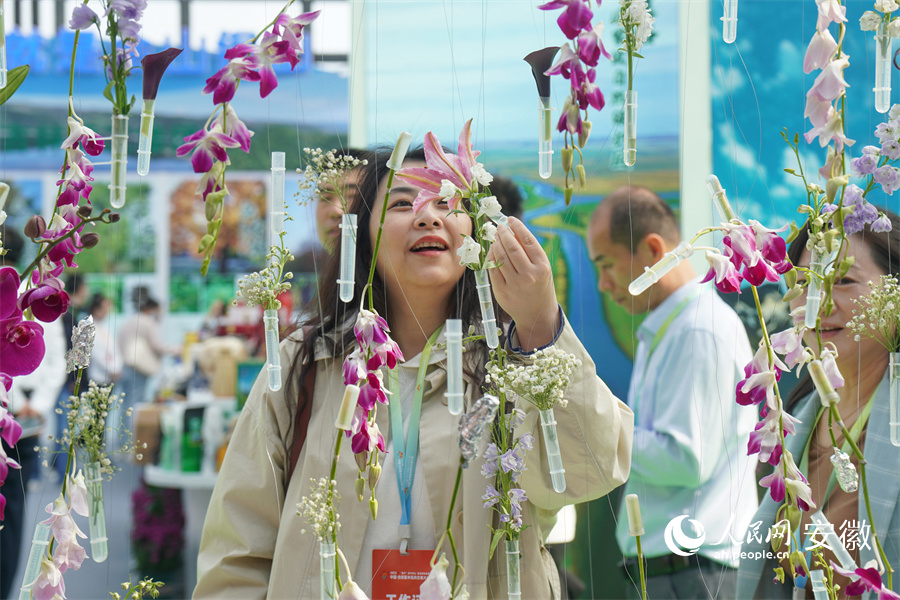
x: 455, y: 168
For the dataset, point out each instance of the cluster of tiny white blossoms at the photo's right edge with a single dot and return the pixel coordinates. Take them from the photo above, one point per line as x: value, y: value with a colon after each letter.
x: 878, y: 314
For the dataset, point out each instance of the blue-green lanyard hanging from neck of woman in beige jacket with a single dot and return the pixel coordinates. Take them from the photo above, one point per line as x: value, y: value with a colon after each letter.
x: 406, y: 453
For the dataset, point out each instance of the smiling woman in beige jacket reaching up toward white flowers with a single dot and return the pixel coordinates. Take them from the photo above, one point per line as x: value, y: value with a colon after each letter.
x: 253, y: 545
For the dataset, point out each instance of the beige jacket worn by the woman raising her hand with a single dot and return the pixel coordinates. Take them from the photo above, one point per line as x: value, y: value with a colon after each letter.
x: 253, y: 547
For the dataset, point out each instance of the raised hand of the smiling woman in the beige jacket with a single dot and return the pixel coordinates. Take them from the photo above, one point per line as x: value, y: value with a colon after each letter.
x: 523, y: 284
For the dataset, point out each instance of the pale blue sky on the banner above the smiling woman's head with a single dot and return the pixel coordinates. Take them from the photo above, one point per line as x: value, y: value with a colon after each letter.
x: 432, y: 65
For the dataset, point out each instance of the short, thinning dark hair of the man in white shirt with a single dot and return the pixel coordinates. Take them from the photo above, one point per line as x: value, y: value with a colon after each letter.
x: 634, y: 212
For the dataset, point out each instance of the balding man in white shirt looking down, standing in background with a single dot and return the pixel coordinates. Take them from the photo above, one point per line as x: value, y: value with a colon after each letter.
x: 690, y: 436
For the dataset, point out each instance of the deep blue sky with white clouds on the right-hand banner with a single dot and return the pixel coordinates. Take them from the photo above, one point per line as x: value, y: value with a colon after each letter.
x: 759, y: 88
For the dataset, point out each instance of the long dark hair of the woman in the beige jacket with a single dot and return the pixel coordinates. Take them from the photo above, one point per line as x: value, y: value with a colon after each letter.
x: 330, y: 319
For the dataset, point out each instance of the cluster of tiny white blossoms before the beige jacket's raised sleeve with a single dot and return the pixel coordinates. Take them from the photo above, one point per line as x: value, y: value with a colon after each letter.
x: 542, y: 383
